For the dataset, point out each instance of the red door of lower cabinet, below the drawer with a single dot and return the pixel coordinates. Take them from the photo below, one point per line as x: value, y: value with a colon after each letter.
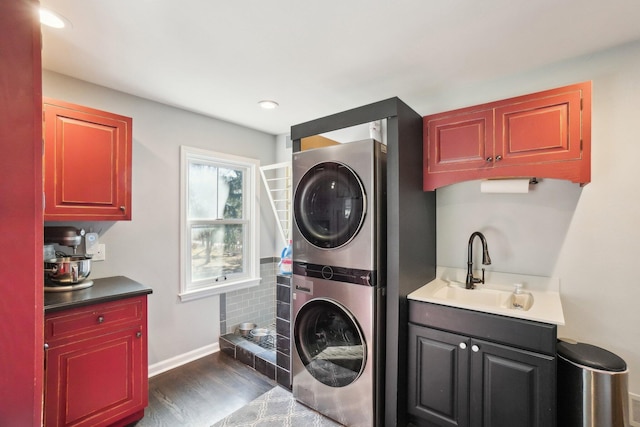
x: 99, y: 380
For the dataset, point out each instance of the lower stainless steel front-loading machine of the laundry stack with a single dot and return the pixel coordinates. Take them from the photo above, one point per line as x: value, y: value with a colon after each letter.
x: 338, y: 340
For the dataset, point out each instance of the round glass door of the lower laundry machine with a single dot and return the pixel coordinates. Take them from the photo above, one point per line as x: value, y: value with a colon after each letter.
x: 330, y: 343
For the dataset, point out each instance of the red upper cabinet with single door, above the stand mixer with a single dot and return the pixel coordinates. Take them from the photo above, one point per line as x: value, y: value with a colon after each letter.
x: 87, y: 163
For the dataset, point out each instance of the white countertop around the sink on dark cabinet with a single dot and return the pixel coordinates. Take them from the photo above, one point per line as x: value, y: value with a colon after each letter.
x: 546, y: 306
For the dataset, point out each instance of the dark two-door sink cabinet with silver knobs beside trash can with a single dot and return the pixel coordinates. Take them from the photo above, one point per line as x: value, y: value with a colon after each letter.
x: 476, y: 369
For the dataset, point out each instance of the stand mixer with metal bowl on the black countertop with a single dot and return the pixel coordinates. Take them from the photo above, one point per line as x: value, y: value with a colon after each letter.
x: 66, y: 272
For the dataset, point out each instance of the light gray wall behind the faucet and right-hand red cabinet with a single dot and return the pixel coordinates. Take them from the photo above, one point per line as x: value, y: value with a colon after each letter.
x: 587, y: 237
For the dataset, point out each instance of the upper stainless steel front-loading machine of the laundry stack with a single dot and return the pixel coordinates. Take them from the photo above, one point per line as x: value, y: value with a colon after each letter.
x: 339, y: 205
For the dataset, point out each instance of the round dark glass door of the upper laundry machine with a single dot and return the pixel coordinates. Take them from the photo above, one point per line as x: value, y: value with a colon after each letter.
x: 329, y: 205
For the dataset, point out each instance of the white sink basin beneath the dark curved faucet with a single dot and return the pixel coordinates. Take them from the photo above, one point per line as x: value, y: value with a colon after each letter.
x: 483, y: 296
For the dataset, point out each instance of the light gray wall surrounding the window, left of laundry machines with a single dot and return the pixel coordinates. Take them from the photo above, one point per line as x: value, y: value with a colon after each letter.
x: 146, y: 249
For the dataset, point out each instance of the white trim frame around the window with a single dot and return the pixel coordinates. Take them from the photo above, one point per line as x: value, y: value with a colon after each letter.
x: 253, y: 261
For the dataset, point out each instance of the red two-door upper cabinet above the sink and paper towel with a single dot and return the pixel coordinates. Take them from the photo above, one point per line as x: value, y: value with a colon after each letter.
x: 546, y: 135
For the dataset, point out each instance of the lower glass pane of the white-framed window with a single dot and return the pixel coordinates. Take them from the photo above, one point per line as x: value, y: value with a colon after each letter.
x: 216, y: 251
